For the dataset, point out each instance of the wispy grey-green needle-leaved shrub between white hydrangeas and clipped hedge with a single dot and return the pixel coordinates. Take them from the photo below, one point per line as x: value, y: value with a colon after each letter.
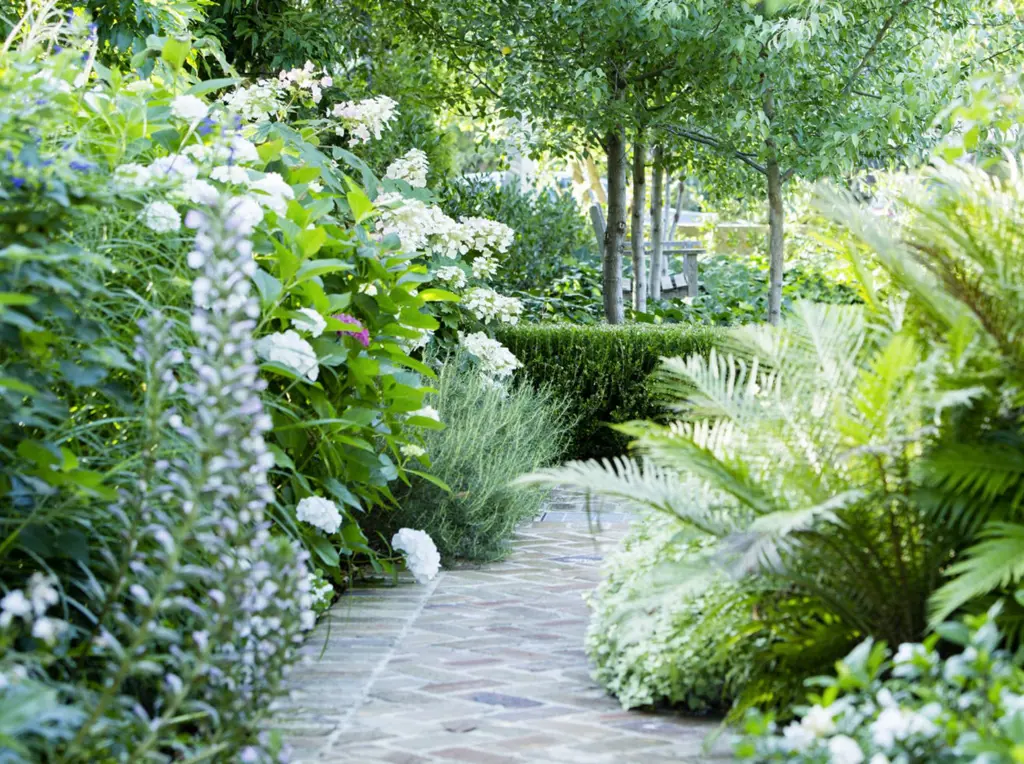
x: 492, y: 436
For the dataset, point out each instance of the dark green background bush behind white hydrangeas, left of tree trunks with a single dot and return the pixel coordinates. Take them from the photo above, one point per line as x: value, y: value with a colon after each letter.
x: 551, y: 233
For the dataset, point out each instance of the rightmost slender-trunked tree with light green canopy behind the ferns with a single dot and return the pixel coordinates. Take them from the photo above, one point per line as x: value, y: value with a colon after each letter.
x: 820, y: 89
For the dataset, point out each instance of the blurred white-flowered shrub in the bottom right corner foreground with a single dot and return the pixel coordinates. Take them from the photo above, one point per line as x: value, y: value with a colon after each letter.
x: 918, y: 706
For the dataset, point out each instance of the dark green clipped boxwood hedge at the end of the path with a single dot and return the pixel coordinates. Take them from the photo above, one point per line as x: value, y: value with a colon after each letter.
x: 604, y: 370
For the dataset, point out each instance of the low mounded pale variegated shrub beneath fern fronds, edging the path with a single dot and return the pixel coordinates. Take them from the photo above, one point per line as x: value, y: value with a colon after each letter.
x: 658, y: 641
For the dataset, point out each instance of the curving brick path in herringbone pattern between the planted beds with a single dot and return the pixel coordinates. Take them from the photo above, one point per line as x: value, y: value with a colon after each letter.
x: 484, y: 665
